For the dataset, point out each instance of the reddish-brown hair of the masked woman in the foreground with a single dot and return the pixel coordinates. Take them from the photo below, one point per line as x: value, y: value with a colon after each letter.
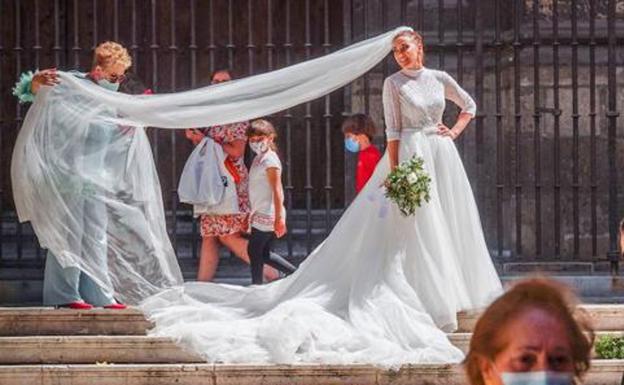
x: 491, y: 335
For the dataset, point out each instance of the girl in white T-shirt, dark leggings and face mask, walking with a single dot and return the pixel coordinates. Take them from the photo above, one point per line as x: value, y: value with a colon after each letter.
x: 266, y: 195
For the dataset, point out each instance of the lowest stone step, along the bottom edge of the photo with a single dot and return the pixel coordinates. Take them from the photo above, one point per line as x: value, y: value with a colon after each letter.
x: 603, y: 372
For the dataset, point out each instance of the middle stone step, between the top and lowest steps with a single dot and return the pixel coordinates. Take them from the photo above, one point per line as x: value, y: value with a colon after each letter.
x: 122, y: 349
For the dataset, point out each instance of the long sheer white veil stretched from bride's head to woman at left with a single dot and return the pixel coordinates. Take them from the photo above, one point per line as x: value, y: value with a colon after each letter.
x: 83, y: 171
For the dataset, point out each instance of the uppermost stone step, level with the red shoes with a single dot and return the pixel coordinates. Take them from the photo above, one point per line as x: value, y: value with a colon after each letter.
x: 31, y: 321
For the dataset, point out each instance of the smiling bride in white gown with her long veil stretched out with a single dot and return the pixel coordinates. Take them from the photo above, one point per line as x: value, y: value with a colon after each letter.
x: 381, y: 289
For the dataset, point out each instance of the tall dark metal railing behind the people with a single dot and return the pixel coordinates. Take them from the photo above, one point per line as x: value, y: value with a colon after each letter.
x: 542, y: 153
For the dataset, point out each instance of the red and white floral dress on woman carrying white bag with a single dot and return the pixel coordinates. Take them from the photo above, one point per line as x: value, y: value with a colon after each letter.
x: 220, y: 225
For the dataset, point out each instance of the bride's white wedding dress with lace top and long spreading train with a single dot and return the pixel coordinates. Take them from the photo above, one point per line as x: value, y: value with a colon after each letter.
x: 382, y: 288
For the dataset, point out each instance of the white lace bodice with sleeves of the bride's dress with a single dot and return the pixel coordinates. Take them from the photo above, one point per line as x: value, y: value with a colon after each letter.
x: 416, y: 99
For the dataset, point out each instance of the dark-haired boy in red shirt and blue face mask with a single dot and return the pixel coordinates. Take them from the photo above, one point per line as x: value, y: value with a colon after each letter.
x: 359, y: 130
